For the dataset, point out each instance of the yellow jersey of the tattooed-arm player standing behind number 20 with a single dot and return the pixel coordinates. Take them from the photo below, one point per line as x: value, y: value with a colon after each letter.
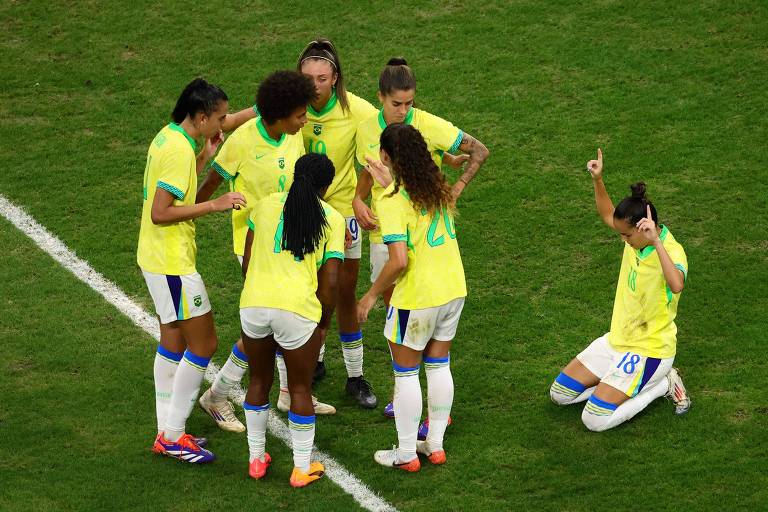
x: 439, y: 134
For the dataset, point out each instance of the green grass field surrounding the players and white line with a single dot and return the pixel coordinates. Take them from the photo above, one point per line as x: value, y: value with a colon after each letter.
x: 675, y: 95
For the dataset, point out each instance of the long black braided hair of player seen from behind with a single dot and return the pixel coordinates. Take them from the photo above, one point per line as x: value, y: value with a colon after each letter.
x: 303, y: 215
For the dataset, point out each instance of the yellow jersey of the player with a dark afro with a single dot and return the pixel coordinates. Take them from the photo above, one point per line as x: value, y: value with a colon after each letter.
x: 256, y: 165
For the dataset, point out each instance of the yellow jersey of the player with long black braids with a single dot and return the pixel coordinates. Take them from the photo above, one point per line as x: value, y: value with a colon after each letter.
x: 275, y: 278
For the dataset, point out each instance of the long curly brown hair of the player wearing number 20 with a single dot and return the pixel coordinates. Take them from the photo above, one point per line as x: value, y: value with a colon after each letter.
x: 414, y: 169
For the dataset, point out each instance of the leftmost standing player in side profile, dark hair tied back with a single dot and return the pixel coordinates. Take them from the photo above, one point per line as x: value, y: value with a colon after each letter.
x: 166, y: 256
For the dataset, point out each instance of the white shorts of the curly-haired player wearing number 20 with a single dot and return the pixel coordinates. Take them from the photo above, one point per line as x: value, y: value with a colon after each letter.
x: 415, y: 327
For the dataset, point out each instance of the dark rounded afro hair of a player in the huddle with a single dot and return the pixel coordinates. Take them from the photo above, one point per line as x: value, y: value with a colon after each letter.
x: 283, y: 92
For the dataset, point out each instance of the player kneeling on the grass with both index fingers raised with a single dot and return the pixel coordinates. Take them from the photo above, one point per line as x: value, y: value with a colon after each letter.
x: 623, y: 371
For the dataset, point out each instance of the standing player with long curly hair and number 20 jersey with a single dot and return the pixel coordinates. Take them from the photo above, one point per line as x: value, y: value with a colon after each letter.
x: 416, y: 217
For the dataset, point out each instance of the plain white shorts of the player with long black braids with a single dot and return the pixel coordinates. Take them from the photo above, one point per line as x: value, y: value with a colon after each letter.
x: 291, y: 331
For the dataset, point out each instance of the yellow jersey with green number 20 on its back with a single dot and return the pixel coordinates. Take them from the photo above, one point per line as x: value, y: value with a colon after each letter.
x: 435, y: 274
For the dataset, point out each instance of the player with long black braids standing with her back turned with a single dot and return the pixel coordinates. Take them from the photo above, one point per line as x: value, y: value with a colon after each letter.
x: 294, y: 249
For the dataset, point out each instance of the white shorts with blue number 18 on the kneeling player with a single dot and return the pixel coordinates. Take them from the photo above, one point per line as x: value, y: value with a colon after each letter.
x: 628, y: 372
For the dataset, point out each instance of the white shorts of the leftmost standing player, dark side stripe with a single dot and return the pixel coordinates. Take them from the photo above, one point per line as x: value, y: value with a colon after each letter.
x: 177, y: 297
